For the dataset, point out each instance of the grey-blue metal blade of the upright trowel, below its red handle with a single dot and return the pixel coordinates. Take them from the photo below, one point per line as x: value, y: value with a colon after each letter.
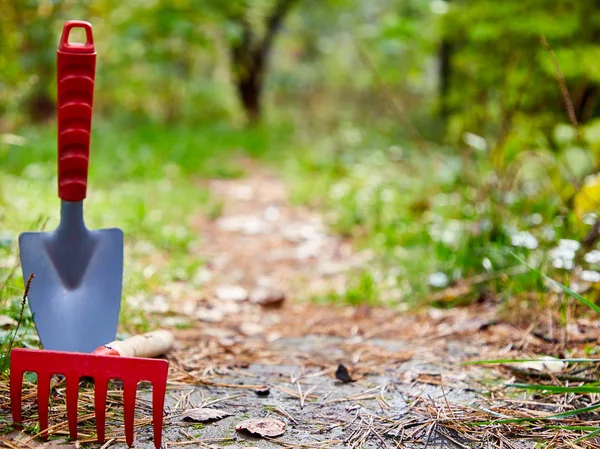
x: 74, y: 311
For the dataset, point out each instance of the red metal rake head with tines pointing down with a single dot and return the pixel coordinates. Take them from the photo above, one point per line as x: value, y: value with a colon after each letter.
x: 101, y: 368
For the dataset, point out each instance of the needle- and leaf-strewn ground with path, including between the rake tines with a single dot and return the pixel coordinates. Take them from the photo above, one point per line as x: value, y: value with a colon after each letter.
x: 251, y: 344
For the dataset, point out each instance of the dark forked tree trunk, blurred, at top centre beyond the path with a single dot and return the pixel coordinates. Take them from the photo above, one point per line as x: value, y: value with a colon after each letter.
x: 250, y: 60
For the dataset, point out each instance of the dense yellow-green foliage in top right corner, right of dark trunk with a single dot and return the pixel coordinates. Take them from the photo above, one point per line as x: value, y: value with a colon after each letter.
x: 502, y: 80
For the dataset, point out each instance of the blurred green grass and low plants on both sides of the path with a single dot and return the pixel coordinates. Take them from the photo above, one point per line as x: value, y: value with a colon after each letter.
x: 432, y: 217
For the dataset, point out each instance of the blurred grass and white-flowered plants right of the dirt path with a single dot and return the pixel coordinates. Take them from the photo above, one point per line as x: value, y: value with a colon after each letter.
x: 433, y: 212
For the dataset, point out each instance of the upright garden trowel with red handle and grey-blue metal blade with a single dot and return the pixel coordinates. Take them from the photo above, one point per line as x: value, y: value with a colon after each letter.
x: 75, y: 296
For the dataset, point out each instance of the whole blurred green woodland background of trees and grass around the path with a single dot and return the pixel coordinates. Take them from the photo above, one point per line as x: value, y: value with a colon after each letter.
x: 441, y: 135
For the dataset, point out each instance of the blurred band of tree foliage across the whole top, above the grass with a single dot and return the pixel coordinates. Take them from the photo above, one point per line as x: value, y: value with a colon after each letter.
x: 471, y: 61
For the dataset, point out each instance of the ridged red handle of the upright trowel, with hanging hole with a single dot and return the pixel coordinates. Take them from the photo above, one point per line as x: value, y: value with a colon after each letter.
x: 76, y: 71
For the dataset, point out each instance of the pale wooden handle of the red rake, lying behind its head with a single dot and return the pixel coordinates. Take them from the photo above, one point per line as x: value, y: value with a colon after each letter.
x: 148, y: 345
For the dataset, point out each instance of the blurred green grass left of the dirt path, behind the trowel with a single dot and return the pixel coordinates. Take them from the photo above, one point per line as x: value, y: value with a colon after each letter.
x: 143, y: 179
